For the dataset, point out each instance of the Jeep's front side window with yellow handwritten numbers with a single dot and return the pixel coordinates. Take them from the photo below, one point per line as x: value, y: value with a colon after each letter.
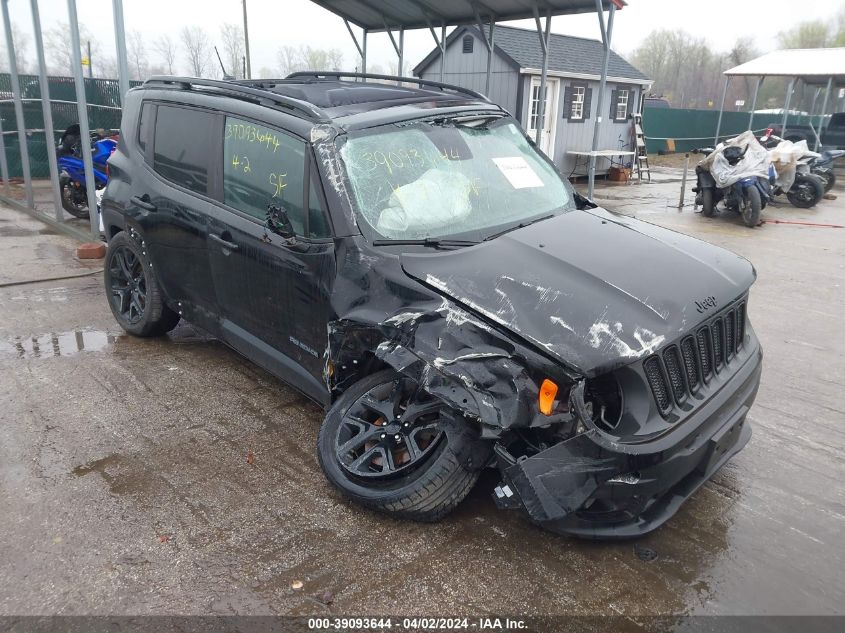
x: 263, y: 166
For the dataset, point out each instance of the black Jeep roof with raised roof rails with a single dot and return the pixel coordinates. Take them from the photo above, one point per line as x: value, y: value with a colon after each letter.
x: 328, y: 98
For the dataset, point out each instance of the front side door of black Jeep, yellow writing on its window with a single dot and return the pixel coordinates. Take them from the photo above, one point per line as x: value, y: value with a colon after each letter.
x: 273, y: 293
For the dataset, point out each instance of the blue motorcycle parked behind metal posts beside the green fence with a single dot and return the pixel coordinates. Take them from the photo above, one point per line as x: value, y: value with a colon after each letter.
x: 72, y: 169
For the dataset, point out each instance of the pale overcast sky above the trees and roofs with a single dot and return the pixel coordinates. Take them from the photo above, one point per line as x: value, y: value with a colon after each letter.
x: 273, y: 23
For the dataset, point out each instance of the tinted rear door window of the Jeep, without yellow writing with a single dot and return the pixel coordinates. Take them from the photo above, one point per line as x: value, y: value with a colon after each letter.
x: 183, y: 146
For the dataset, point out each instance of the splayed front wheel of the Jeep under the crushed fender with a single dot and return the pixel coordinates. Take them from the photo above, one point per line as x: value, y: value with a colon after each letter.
x: 390, y: 447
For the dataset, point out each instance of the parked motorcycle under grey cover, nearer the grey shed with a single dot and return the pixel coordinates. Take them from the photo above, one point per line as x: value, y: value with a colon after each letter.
x: 723, y: 176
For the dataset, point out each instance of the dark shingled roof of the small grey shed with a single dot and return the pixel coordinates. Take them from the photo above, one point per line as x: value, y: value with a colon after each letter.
x: 567, y: 54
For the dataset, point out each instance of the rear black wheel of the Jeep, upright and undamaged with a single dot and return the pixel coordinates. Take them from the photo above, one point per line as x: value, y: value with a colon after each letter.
x: 132, y: 289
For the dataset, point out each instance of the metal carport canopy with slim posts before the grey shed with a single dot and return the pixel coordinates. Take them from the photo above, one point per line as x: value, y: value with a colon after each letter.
x: 374, y: 16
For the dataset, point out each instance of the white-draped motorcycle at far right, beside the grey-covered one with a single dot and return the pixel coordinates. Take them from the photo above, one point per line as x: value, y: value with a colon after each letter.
x: 805, y: 188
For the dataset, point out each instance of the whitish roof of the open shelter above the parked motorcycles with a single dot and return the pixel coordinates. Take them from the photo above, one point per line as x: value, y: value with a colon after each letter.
x: 812, y: 64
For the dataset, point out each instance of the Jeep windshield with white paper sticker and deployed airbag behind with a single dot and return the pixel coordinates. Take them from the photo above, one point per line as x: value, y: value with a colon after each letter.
x: 438, y: 179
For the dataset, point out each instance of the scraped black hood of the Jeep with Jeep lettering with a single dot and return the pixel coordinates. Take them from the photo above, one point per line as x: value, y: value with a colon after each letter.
x: 593, y: 289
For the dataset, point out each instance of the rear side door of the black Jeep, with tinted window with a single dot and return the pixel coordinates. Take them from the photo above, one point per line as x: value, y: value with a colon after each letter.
x: 173, y: 201
